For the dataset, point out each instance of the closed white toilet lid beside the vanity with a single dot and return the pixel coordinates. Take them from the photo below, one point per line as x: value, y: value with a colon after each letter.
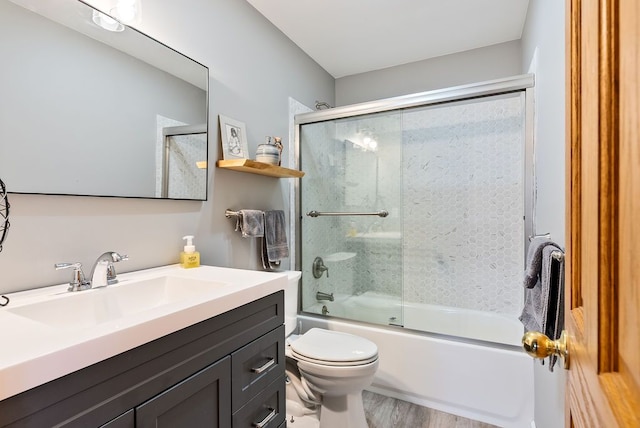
x: 319, y: 345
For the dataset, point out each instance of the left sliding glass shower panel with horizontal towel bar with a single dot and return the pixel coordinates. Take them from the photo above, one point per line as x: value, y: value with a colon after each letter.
x: 351, y: 256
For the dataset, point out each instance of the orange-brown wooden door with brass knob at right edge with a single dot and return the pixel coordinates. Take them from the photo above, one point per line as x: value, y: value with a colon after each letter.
x: 603, y: 213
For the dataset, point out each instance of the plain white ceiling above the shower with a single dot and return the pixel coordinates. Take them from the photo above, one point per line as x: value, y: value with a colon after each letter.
x: 354, y: 36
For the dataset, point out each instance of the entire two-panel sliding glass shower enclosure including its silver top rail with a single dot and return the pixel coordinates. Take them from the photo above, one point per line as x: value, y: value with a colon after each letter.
x: 454, y: 172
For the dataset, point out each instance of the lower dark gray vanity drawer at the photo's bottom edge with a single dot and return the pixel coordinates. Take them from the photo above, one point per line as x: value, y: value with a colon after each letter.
x: 266, y: 410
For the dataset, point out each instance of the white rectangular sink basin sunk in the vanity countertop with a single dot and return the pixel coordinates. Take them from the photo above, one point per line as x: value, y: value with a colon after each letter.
x: 106, y: 304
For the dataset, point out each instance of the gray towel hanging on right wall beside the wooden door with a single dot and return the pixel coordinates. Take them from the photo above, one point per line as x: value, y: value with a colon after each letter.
x: 544, y: 291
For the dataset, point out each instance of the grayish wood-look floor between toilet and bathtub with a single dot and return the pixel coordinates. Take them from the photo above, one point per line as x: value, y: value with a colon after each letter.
x: 386, y: 412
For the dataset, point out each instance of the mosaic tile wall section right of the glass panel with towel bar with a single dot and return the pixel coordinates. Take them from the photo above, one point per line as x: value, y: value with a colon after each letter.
x: 464, y: 204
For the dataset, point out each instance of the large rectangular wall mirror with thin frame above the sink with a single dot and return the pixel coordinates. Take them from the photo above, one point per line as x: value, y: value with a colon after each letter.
x: 87, y: 111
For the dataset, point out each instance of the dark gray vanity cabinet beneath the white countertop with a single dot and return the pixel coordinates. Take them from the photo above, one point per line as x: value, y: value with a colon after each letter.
x: 227, y: 371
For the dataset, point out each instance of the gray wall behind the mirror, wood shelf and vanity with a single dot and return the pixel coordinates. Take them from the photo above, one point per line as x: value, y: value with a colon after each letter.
x: 254, y: 68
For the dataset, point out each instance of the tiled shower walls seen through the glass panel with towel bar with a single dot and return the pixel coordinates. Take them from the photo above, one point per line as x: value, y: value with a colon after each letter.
x: 342, y: 176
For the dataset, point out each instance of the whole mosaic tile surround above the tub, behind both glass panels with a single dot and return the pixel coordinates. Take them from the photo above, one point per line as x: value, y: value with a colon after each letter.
x: 451, y: 177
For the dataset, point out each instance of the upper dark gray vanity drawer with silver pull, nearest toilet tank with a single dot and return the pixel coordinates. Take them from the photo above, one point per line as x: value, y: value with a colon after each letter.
x: 256, y: 365
